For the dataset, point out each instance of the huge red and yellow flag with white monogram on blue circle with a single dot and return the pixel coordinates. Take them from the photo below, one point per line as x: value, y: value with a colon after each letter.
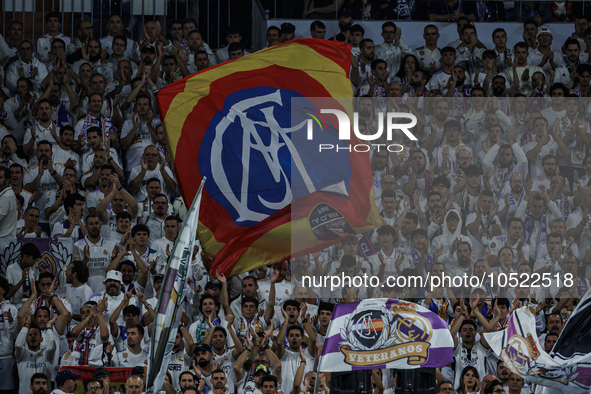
x: 232, y: 123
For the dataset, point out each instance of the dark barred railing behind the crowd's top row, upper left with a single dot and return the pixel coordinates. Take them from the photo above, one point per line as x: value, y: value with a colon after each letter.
x: 213, y: 17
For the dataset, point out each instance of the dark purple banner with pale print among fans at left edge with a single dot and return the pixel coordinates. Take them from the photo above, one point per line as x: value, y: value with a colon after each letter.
x: 56, y: 254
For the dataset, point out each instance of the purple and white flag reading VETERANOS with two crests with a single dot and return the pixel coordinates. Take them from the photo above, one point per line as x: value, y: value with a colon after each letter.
x: 385, y: 333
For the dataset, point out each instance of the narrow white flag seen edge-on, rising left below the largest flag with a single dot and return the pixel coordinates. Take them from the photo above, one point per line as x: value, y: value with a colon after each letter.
x: 172, y: 292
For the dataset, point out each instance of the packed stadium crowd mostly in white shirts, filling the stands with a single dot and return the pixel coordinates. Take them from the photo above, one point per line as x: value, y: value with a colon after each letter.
x: 497, y: 183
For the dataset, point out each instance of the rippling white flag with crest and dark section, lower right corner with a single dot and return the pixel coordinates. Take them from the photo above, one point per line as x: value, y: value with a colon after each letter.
x: 567, y: 369
